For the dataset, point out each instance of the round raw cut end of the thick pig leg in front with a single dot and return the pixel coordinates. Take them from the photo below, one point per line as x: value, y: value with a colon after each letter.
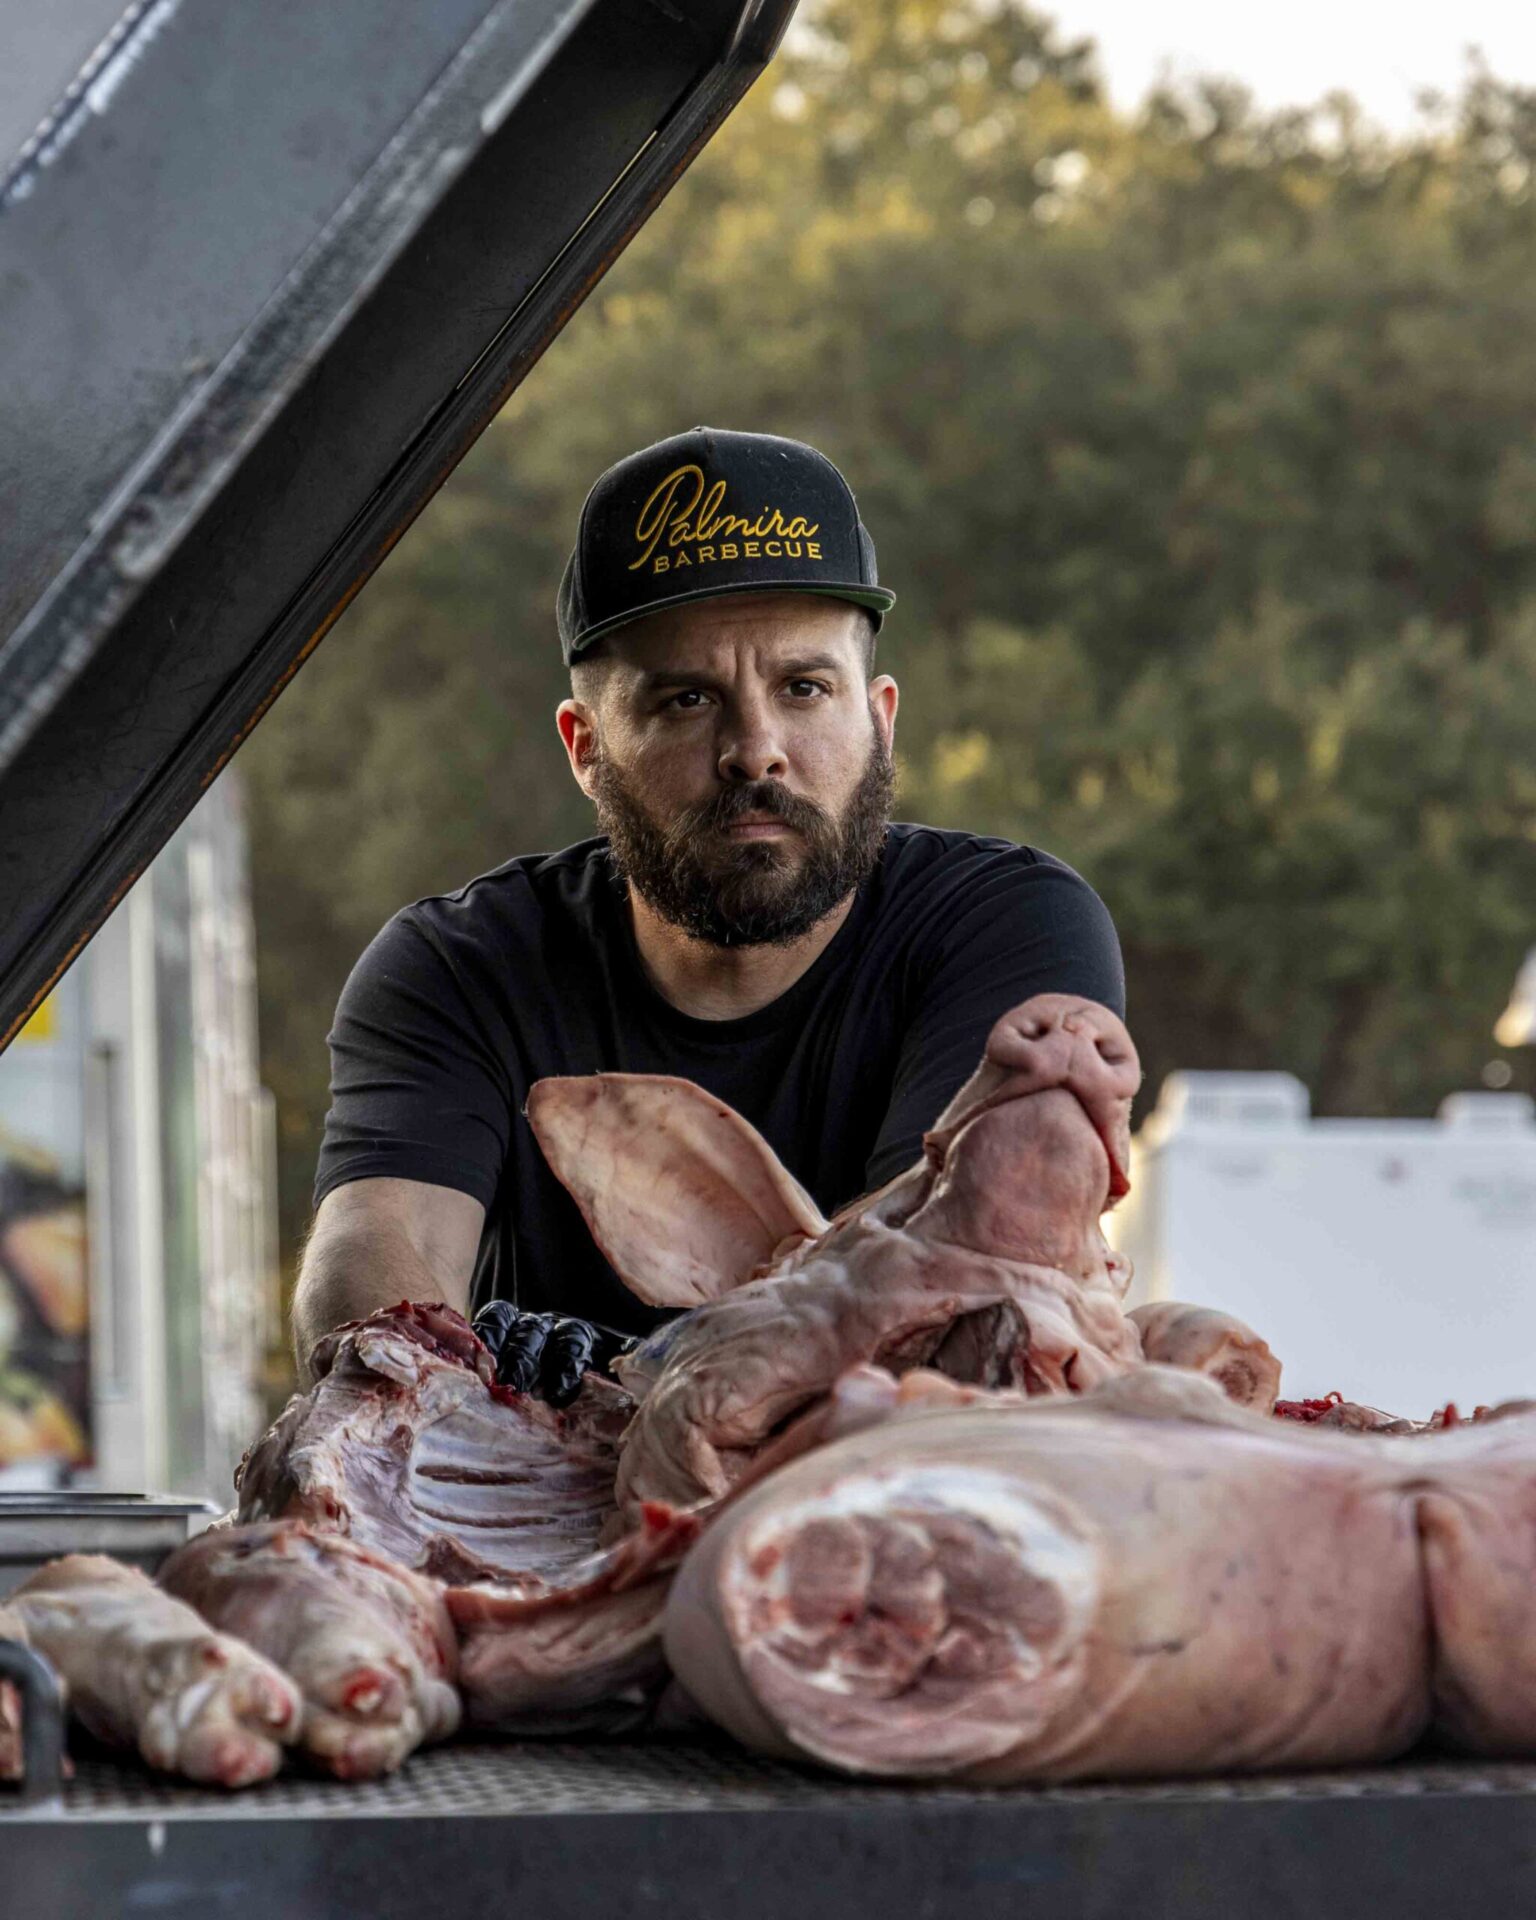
x: 913, y: 1629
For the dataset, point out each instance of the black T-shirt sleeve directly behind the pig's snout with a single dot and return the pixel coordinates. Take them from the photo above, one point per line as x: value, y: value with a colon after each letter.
x: 1028, y: 924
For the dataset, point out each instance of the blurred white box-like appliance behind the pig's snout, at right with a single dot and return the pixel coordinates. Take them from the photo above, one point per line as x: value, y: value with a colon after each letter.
x: 1391, y: 1260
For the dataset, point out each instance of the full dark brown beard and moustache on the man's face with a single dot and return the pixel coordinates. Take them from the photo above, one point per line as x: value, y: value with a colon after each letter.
x: 754, y: 894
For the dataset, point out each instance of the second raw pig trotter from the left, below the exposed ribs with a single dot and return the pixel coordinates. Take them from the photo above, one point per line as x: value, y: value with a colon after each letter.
x: 368, y: 1644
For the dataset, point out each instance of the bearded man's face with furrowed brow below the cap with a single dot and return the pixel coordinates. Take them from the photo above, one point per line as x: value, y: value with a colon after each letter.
x: 740, y: 763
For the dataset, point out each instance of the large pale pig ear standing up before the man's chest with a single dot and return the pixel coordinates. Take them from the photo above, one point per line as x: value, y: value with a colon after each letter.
x: 683, y: 1195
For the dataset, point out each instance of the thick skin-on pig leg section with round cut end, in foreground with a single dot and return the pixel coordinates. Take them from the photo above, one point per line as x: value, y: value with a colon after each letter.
x: 1143, y: 1581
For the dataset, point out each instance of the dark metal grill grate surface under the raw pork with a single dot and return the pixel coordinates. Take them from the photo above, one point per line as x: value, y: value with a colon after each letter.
x: 688, y: 1777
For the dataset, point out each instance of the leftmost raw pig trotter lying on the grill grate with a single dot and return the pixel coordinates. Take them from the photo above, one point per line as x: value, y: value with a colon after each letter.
x: 145, y: 1671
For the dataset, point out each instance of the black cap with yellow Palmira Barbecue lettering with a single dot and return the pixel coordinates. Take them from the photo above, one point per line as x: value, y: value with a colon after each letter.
x: 708, y: 514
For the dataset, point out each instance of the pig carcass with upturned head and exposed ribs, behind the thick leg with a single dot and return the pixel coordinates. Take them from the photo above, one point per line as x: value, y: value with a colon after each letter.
x: 556, y: 1533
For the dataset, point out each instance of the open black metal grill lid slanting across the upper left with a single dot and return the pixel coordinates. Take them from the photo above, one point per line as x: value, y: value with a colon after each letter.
x: 264, y: 277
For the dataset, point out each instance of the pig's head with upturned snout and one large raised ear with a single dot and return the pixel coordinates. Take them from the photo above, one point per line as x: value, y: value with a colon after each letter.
x: 984, y: 1260
